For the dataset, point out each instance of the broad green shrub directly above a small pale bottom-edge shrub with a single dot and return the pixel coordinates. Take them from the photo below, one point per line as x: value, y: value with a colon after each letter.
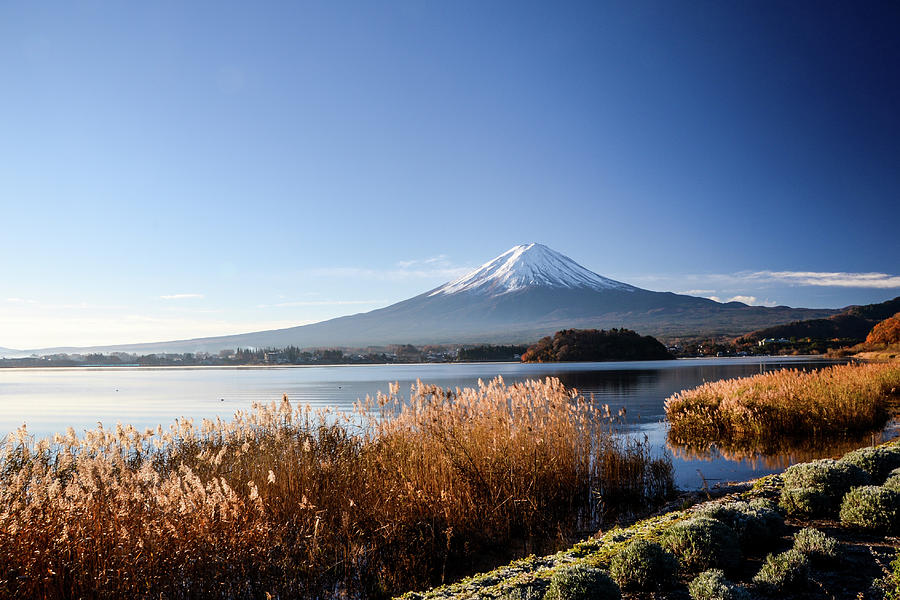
x: 702, y: 543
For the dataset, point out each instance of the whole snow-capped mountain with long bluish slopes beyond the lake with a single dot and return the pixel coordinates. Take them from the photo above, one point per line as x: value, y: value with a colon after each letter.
x: 527, y: 292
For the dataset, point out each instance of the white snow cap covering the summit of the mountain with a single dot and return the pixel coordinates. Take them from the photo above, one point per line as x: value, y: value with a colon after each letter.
x: 525, y: 266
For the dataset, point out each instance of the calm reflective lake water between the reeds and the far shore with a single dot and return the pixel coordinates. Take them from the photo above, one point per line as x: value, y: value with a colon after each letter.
x: 49, y: 400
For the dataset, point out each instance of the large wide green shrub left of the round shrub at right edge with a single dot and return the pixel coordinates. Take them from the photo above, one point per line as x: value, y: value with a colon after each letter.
x: 815, y: 489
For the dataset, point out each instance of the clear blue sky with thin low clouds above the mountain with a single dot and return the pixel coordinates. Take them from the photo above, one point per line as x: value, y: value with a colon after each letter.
x: 171, y: 170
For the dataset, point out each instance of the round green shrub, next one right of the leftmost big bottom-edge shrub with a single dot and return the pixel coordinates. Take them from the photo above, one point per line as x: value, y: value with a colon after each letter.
x: 644, y: 566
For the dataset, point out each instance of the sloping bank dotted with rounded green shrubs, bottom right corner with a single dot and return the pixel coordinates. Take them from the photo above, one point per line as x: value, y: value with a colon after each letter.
x: 824, y: 530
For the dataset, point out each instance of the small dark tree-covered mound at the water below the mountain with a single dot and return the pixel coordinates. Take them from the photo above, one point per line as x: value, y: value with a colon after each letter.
x: 576, y: 345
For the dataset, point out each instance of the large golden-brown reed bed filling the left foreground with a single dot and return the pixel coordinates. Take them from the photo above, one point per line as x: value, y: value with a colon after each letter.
x: 291, y: 503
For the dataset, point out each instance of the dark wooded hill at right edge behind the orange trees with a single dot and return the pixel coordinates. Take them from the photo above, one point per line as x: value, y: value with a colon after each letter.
x: 853, y: 323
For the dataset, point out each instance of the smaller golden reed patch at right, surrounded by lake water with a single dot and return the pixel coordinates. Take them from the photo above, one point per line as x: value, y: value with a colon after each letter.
x: 763, y: 411
